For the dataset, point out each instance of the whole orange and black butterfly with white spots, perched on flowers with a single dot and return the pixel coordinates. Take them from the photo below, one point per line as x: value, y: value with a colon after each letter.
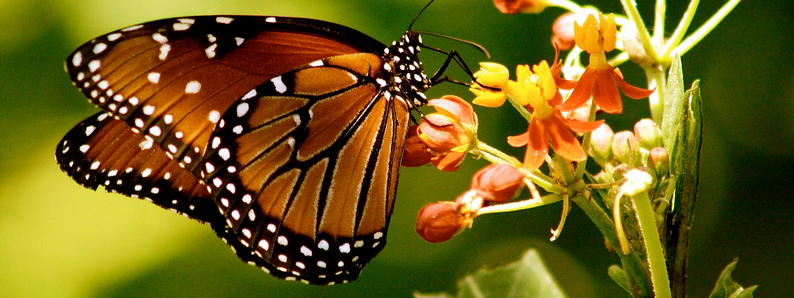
x: 284, y: 135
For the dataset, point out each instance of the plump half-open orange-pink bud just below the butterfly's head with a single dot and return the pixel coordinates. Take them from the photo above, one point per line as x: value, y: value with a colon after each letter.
x: 450, y: 132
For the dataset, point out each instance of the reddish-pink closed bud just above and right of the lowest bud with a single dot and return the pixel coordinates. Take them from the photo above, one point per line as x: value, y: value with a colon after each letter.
x: 497, y: 182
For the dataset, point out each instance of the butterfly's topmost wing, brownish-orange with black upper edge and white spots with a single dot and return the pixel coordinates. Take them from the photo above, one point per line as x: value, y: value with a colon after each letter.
x: 172, y: 79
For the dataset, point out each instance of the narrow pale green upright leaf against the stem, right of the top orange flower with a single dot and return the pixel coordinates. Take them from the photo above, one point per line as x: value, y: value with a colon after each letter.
x: 675, y: 106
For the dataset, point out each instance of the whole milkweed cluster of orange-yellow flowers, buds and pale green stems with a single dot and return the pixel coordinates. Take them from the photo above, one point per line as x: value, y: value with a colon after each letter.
x: 561, y: 102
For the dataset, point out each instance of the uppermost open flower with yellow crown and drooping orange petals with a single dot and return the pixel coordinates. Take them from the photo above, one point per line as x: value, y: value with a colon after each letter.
x: 600, y: 80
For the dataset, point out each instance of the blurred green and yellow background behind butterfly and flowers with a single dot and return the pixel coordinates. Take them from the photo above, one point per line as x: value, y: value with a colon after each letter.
x: 60, y: 240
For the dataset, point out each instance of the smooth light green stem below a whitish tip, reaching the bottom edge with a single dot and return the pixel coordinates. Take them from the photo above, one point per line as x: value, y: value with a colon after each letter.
x: 653, y: 245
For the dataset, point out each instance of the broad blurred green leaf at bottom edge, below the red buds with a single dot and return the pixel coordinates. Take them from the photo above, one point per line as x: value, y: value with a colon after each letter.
x: 525, y: 278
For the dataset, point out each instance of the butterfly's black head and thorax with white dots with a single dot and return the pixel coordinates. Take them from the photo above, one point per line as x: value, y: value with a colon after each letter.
x: 407, y: 79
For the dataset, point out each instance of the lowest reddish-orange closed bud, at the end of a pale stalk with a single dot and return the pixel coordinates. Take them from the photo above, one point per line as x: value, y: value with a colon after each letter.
x: 438, y: 222
